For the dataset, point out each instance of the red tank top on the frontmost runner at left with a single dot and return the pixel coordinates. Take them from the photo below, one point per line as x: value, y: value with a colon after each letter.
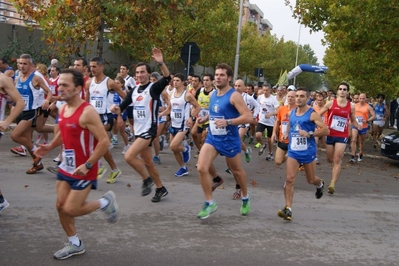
x: 78, y: 145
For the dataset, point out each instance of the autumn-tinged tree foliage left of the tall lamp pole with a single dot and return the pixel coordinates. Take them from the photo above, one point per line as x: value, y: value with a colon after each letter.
x: 136, y: 26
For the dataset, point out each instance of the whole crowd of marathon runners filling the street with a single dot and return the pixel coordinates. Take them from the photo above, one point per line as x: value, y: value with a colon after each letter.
x: 200, y: 116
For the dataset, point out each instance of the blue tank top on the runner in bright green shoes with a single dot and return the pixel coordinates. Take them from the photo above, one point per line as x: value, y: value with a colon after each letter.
x: 221, y: 108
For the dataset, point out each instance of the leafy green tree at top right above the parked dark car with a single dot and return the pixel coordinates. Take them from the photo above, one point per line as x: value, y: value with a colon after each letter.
x: 362, y: 39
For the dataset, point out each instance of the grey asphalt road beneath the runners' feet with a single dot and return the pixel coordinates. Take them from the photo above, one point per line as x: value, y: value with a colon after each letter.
x: 355, y: 226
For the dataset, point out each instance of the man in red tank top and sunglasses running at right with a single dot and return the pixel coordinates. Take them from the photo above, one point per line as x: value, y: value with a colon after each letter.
x: 339, y: 111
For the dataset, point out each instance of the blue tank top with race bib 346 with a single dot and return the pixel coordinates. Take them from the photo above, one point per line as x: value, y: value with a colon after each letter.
x: 301, y: 147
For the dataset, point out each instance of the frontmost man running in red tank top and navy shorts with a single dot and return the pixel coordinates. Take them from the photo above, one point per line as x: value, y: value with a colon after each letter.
x: 84, y: 141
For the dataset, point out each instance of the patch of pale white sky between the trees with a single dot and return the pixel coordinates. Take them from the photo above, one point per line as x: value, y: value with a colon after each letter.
x: 284, y: 25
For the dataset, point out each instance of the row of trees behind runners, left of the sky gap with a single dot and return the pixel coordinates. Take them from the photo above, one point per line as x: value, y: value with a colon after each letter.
x: 137, y: 26
